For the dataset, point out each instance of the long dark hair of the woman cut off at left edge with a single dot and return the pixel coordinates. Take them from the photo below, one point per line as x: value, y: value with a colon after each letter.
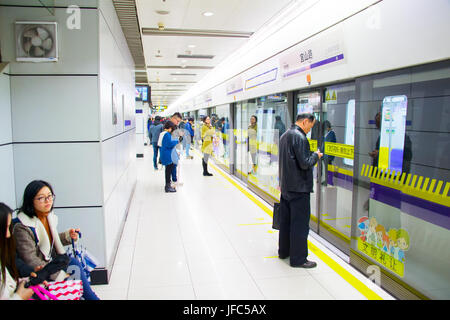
x: 7, y: 246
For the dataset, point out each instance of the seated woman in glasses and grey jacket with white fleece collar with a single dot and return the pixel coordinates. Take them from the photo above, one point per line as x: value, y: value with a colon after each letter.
x: 37, y: 239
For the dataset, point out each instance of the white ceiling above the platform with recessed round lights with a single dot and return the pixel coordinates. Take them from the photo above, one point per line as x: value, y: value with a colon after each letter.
x: 229, y: 15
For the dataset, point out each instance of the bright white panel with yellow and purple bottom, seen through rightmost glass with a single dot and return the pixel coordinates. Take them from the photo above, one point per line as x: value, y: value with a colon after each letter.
x: 393, y: 130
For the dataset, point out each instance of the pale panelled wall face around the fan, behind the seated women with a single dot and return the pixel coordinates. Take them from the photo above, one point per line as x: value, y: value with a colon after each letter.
x: 55, y: 118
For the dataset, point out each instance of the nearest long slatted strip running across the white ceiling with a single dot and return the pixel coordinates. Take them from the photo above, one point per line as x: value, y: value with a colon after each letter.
x: 195, y: 33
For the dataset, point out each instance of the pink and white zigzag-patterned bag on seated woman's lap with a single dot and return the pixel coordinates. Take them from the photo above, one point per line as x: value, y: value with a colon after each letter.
x: 63, y: 290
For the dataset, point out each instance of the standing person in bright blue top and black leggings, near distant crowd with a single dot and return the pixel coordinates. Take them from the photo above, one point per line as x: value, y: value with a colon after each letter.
x: 167, y: 144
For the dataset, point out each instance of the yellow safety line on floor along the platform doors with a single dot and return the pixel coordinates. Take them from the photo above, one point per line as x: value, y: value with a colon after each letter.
x: 347, y: 276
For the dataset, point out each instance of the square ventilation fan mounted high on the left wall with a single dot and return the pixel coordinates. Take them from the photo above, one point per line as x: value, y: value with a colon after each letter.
x: 36, y: 41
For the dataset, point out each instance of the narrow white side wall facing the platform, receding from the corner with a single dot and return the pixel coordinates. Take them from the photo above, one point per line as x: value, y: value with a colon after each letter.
x: 116, y: 66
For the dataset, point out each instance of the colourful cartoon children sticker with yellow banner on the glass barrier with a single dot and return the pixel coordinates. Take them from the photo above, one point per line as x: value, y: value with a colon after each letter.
x: 386, y: 247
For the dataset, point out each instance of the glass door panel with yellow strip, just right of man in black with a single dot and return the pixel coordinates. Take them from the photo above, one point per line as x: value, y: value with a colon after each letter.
x: 336, y: 143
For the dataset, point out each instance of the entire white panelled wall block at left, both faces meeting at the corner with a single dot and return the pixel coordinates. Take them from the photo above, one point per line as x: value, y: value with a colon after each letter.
x: 61, y: 126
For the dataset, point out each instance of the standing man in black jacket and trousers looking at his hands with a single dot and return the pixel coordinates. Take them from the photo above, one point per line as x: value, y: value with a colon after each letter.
x: 296, y: 184
